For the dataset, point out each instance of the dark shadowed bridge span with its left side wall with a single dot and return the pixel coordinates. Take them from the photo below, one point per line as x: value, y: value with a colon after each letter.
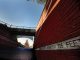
x: 8, y: 36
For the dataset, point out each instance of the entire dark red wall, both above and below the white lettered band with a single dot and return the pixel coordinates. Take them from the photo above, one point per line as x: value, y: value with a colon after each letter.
x: 63, y: 23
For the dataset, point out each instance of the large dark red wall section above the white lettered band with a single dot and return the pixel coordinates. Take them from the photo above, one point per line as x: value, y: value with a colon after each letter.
x: 63, y: 23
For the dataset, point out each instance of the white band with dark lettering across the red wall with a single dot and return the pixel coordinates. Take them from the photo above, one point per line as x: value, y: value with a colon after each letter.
x: 73, y: 43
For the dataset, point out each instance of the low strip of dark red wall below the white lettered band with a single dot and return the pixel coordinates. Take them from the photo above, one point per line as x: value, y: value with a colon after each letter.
x: 58, y: 55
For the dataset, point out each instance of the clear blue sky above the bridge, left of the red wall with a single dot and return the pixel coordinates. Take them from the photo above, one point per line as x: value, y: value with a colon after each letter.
x: 20, y: 12
